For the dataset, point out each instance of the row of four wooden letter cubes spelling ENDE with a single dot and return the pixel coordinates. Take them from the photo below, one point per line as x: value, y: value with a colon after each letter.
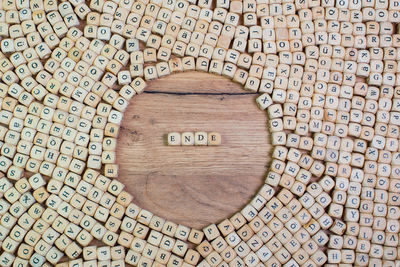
x: 194, y: 139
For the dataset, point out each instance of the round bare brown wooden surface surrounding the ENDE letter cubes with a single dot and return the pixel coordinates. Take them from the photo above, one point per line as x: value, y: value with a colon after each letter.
x: 194, y: 186
